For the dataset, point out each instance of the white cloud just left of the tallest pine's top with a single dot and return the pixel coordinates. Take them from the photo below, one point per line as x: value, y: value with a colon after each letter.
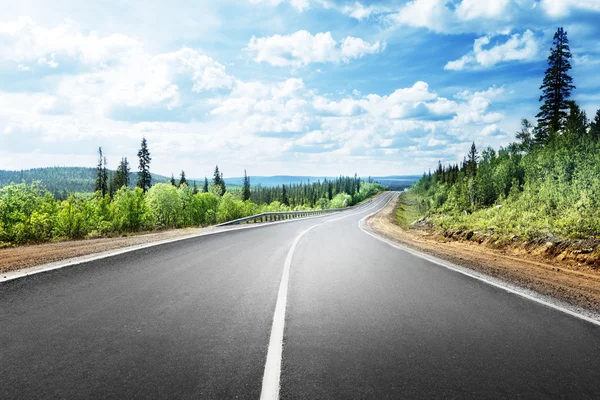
x: 519, y: 47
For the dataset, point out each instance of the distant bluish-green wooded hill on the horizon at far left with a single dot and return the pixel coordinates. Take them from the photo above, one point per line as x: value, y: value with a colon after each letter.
x: 61, y: 180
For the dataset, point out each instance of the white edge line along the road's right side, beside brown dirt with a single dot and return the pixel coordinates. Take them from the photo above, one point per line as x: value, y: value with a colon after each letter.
x: 450, y: 266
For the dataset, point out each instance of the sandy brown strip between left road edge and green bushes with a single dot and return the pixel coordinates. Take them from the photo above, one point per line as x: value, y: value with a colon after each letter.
x: 12, y: 259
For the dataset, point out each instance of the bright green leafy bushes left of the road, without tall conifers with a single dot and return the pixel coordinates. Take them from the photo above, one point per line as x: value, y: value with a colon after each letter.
x: 29, y: 213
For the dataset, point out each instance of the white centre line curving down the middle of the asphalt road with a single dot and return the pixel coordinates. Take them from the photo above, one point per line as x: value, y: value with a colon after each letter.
x: 272, y: 374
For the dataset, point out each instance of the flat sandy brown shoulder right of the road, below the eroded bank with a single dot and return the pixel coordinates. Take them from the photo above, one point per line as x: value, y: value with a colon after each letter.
x: 565, y: 281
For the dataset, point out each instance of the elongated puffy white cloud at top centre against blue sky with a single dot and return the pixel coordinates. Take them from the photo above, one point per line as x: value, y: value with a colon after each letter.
x: 302, y: 48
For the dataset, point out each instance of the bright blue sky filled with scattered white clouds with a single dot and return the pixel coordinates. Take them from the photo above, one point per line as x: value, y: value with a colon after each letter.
x: 279, y: 87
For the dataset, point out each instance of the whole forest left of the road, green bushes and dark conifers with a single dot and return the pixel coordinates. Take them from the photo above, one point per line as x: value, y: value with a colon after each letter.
x: 30, y: 213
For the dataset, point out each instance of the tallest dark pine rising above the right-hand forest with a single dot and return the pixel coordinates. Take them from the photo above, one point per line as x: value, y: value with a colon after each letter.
x: 556, y: 90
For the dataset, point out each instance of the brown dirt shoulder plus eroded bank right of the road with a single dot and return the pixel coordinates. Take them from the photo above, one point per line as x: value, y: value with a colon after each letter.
x: 567, y: 273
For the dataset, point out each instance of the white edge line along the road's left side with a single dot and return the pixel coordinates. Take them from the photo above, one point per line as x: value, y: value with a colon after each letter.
x: 38, y: 269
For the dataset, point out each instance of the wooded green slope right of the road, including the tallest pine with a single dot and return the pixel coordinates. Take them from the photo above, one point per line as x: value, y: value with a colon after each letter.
x: 546, y: 183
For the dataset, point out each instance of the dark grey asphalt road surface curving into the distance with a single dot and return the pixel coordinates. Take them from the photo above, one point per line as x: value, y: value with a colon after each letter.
x: 192, y: 319
